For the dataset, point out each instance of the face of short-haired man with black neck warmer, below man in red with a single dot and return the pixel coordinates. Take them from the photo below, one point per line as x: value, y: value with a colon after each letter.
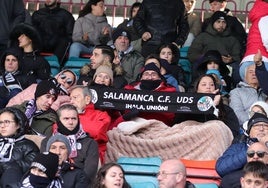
x: 69, y: 119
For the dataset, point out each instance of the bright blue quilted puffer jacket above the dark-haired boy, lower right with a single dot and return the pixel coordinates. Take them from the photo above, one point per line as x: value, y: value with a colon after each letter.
x: 233, y: 159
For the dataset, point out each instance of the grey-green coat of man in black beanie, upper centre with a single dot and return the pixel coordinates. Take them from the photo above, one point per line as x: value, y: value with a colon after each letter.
x: 132, y: 64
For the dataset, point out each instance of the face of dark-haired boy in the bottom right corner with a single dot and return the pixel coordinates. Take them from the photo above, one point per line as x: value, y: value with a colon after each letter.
x: 250, y: 181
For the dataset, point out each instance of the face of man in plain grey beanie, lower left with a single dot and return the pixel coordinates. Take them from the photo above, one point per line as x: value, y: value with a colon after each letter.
x: 60, y: 149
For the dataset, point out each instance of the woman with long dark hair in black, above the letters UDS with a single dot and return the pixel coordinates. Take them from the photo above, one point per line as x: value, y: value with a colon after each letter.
x: 171, y: 53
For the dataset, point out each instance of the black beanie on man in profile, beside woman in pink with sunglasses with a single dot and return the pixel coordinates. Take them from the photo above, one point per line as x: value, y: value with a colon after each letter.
x: 47, y: 87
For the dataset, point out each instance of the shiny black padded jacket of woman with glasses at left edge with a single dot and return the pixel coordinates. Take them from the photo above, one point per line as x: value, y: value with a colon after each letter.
x: 23, y: 153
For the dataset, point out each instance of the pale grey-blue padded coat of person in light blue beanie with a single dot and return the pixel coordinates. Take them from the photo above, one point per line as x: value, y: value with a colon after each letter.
x: 242, y: 97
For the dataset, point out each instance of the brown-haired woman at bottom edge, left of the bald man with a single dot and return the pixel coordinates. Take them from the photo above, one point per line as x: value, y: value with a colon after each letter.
x: 111, y: 174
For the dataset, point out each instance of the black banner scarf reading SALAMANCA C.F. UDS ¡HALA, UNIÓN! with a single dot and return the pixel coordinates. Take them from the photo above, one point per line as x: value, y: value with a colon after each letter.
x: 152, y: 101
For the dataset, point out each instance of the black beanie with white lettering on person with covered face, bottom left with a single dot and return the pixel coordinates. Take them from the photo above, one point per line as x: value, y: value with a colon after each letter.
x: 48, y: 163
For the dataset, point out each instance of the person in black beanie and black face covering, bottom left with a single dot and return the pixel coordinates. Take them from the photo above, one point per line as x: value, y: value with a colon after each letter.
x: 43, y: 172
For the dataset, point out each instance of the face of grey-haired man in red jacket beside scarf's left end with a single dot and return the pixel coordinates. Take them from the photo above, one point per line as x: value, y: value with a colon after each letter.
x: 79, y: 100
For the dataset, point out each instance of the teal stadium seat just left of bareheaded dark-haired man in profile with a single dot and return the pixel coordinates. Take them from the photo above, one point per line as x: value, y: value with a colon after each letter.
x: 75, y: 64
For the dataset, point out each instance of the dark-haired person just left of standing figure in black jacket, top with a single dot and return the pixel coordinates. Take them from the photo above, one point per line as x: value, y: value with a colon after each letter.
x: 128, y: 25
